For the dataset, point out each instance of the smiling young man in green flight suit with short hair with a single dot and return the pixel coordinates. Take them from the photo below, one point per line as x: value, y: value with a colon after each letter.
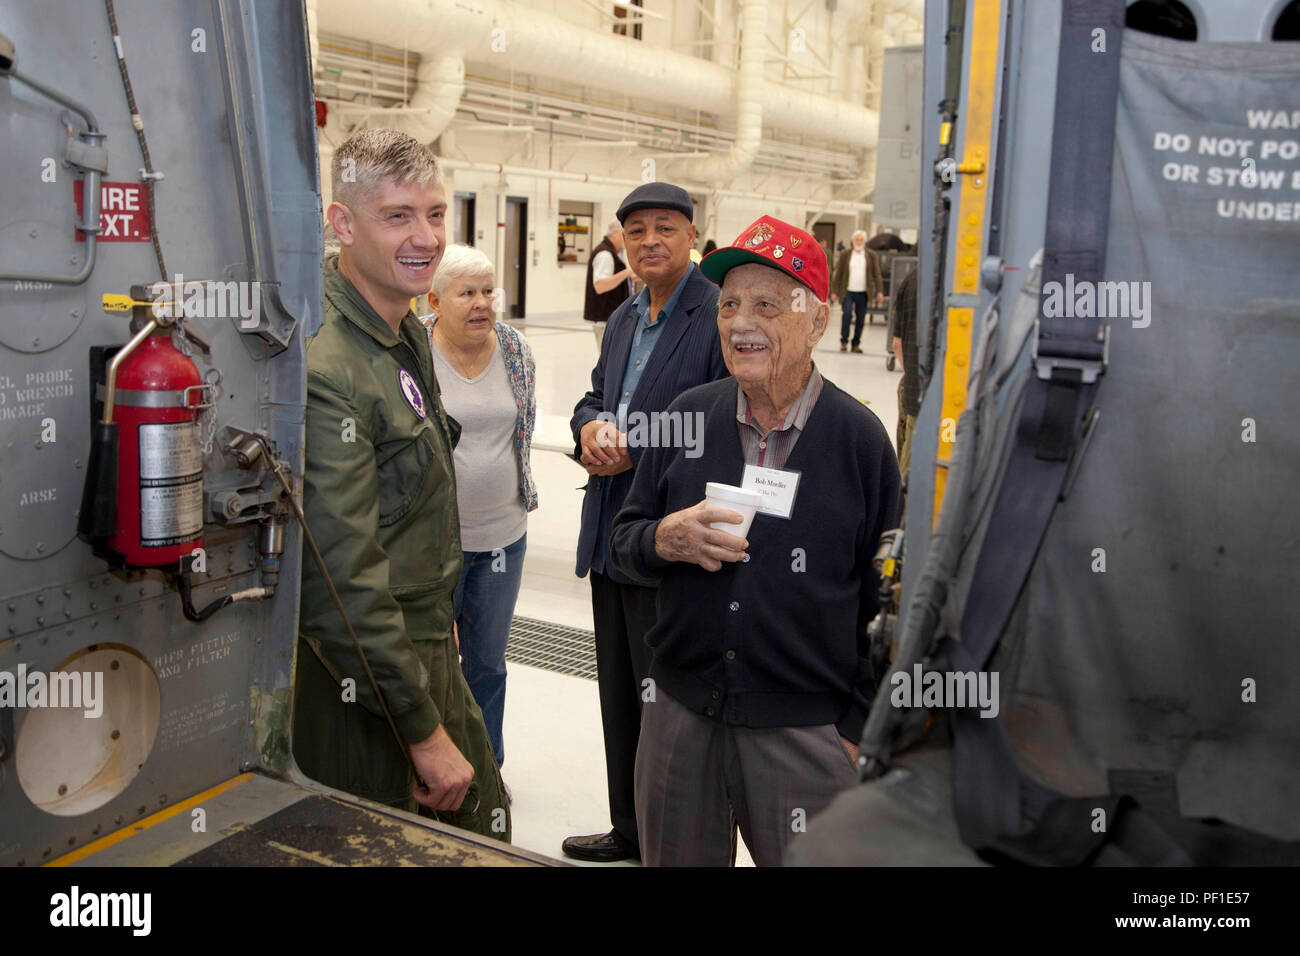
x: 380, y: 498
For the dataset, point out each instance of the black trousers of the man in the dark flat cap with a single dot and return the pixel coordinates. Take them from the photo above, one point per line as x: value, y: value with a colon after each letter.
x: 623, y: 615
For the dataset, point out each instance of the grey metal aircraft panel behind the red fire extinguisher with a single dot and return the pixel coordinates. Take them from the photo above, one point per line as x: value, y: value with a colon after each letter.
x: 224, y: 88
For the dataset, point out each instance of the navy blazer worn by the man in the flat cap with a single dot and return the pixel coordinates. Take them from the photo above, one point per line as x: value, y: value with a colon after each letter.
x: 688, y: 354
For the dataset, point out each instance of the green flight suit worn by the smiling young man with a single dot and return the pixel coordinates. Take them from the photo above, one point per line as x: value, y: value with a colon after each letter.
x: 380, y: 496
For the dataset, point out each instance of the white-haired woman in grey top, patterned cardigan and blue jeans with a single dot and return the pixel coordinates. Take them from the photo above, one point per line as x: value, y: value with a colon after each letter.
x: 487, y: 377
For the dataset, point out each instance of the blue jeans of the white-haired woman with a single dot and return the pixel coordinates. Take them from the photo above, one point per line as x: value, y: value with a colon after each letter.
x: 484, y: 607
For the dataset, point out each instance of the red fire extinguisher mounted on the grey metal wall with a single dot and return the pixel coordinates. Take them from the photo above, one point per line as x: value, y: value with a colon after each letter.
x: 157, y: 401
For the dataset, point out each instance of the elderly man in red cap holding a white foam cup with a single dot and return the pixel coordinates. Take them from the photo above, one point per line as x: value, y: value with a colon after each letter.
x: 761, y: 669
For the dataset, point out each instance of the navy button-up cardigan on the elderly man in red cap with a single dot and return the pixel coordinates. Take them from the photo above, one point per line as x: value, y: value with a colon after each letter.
x: 779, y: 641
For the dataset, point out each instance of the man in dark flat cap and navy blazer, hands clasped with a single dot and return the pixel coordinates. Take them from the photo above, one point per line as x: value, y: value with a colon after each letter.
x: 657, y: 345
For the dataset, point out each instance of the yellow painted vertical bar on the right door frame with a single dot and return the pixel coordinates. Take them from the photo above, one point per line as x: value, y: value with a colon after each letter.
x: 968, y: 220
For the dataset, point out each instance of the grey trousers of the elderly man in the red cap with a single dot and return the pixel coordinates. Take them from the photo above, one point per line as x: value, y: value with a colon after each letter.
x: 699, y: 781
